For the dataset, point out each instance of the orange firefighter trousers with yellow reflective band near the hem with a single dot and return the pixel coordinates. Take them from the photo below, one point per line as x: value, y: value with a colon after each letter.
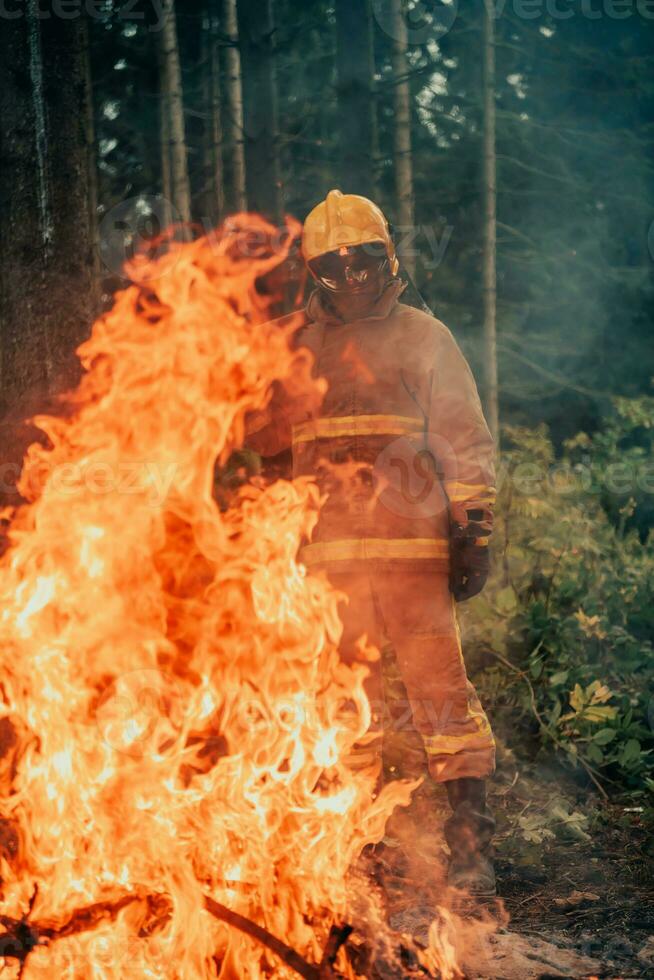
x: 413, y: 613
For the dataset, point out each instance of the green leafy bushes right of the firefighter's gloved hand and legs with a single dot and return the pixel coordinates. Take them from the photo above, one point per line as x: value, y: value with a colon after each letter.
x: 566, y: 625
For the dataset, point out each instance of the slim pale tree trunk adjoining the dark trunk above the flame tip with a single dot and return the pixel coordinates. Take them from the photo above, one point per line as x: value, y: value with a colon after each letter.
x: 236, y: 196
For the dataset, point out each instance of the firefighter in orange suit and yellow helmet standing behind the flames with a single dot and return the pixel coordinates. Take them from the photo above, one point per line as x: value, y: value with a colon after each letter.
x: 404, y: 458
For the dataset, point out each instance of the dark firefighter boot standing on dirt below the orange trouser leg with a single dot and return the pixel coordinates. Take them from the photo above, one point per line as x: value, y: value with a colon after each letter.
x: 469, y: 833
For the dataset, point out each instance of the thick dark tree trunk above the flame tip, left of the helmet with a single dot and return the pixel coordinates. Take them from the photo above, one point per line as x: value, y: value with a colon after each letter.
x: 256, y: 34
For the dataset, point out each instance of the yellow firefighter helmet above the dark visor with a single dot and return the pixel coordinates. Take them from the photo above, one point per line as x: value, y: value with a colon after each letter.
x: 344, y: 221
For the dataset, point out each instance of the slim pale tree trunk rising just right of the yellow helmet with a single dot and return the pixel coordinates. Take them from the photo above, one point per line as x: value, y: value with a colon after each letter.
x: 402, y: 136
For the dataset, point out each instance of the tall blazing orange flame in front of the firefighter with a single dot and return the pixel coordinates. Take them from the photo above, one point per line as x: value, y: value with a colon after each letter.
x: 174, y: 715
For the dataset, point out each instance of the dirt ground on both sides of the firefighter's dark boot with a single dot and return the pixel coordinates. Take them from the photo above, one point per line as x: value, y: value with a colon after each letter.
x: 575, y: 875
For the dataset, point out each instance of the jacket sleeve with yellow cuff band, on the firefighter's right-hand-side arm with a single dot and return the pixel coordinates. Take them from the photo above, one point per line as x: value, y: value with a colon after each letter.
x: 458, y: 436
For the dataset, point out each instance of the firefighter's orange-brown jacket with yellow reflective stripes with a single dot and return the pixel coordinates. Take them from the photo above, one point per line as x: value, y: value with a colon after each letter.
x: 399, y: 446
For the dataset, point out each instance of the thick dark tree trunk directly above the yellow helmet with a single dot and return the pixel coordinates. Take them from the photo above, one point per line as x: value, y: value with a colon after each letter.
x: 355, y: 96
